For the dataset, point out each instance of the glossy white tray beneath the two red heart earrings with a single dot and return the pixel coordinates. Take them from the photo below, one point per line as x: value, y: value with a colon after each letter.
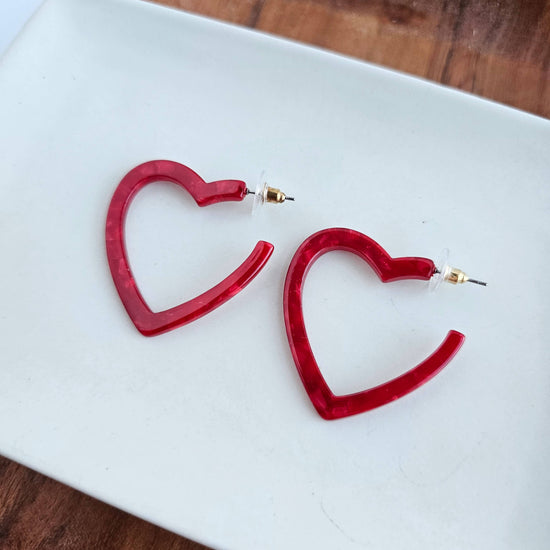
x: 207, y: 430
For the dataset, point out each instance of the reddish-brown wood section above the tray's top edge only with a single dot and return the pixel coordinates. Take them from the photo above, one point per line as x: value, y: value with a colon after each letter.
x: 496, y: 49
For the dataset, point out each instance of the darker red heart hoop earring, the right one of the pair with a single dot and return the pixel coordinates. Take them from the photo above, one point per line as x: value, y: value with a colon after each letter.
x: 388, y: 269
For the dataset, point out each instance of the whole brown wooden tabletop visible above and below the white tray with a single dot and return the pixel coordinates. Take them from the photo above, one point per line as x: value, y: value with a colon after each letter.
x: 496, y: 49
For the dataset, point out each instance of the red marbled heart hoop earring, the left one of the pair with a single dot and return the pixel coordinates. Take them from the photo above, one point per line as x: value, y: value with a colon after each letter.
x: 151, y: 323
